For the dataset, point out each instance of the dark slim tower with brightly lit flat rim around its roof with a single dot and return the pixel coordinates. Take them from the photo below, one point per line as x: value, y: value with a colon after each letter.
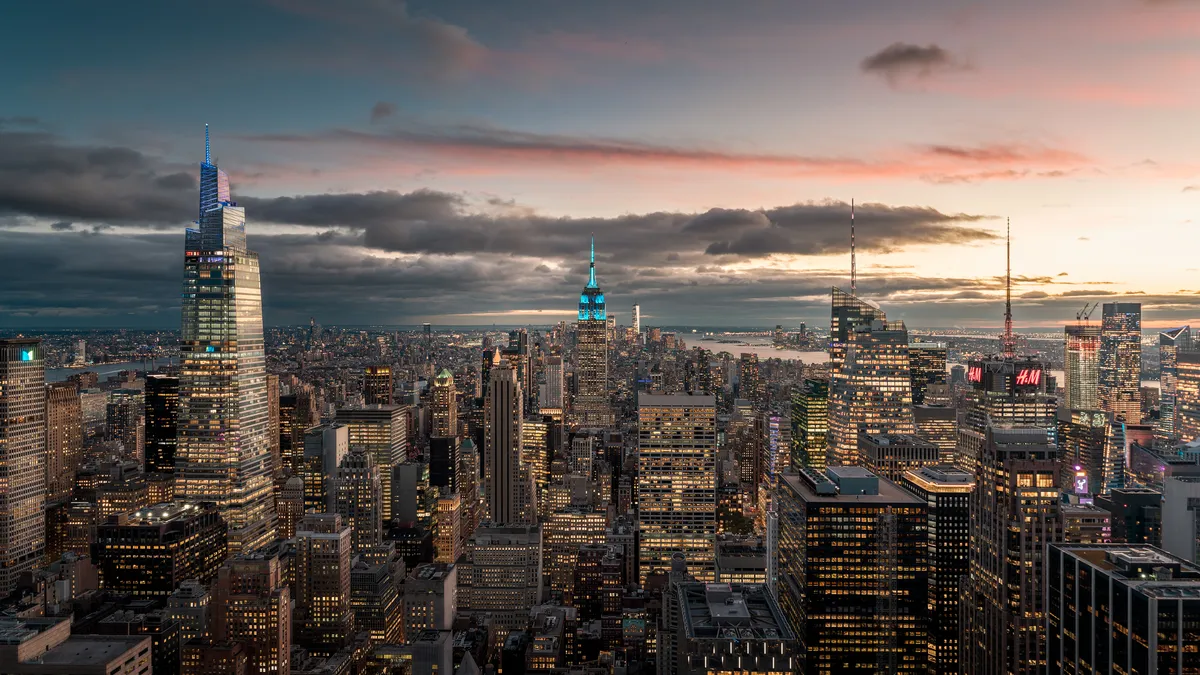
x: 946, y: 489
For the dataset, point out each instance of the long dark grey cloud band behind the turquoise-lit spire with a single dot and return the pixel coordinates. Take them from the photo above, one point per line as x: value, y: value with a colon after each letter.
x: 439, y: 223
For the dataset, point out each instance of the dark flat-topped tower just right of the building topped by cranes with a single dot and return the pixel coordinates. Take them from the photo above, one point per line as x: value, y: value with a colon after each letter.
x: 1121, y: 361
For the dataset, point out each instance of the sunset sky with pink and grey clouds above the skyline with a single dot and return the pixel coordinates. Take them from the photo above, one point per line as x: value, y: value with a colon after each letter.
x: 447, y: 160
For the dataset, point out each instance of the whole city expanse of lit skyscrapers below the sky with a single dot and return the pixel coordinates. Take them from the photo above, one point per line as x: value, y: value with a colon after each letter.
x: 597, y: 500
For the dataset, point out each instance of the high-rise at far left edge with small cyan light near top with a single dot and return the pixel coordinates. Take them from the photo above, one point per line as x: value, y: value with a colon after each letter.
x: 22, y: 458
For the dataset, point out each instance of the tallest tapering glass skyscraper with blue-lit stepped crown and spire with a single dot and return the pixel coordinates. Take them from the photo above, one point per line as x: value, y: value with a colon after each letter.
x: 223, y: 453
